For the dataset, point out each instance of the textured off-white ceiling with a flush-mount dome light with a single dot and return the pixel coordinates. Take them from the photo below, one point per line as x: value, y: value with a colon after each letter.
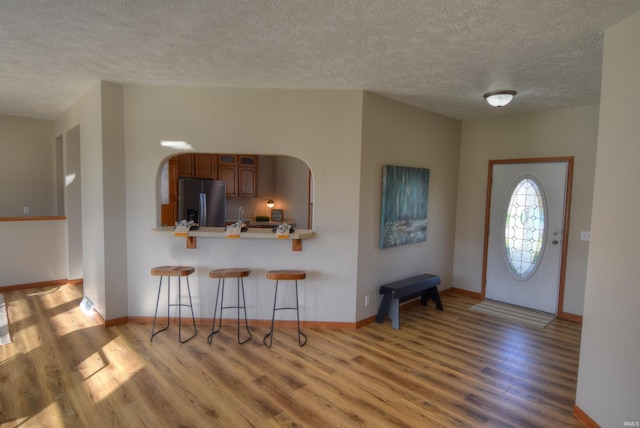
x: 441, y: 55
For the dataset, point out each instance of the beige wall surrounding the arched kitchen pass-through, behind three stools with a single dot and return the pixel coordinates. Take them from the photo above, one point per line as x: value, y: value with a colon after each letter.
x: 323, y: 128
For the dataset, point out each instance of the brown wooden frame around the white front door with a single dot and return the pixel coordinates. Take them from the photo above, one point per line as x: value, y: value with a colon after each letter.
x: 565, y: 230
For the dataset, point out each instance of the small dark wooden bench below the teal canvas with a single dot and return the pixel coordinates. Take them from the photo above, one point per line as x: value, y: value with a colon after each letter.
x: 424, y: 286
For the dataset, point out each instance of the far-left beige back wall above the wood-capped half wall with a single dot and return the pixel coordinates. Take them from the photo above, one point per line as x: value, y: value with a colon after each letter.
x: 27, y: 167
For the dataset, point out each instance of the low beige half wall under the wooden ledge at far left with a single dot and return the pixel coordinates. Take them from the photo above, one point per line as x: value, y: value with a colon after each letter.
x: 33, y: 251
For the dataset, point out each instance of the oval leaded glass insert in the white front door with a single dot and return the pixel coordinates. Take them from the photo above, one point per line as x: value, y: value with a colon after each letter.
x: 524, y: 229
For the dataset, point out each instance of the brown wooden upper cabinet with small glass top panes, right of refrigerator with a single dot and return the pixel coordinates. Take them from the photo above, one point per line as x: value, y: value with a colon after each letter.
x: 240, y: 174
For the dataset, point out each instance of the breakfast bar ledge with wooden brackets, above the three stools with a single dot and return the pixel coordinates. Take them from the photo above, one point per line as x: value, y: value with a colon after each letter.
x: 253, y: 233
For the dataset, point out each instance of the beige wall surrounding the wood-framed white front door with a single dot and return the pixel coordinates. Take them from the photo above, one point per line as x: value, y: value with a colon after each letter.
x: 557, y: 132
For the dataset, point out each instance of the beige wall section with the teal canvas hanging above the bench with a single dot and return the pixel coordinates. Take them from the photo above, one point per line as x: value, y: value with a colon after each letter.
x: 398, y: 134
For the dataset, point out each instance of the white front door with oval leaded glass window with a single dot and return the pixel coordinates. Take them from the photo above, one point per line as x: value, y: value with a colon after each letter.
x: 526, y: 223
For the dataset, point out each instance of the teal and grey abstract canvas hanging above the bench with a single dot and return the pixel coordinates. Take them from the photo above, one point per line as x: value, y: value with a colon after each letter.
x: 403, y: 217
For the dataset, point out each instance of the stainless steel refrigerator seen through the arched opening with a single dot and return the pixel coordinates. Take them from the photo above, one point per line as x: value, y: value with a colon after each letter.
x: 203, y: 201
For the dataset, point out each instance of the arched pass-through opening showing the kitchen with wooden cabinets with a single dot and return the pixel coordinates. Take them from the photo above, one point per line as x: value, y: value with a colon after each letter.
x: 251, y: 181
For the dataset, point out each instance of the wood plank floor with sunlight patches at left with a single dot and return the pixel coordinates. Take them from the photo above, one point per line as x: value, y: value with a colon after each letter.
x: 449, y: 368
